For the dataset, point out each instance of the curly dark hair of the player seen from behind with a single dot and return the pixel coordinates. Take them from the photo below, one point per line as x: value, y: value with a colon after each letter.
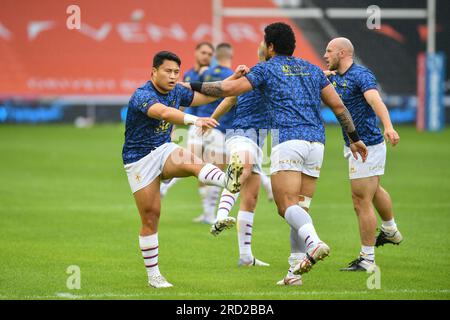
x: 281, y: 36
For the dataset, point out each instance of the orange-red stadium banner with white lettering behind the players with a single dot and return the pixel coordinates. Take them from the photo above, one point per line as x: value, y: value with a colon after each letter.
x: 111, y: 54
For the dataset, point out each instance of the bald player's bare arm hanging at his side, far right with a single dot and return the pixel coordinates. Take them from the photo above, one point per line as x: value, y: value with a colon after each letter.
x: 374, y: 100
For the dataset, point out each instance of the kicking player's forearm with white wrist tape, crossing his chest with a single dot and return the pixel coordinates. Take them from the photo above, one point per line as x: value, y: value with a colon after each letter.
x: 175, y: 116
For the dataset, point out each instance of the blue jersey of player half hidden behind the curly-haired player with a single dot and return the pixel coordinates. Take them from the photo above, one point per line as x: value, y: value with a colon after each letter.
x: 251, y: 117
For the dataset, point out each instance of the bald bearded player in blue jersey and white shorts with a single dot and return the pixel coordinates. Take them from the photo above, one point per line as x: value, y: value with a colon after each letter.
x: 357, y: 87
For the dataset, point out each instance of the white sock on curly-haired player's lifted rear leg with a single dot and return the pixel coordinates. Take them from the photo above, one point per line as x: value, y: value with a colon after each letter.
x: 301, y: 221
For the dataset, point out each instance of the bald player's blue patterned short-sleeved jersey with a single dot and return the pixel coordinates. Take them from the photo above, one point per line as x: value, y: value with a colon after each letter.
x: 351, y: 87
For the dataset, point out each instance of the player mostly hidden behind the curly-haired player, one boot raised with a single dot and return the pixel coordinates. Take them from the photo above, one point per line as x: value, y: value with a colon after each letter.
x: 245, y: 138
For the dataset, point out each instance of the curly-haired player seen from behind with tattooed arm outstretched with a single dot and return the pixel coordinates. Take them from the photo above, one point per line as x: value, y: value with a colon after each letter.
x: 293, y: 89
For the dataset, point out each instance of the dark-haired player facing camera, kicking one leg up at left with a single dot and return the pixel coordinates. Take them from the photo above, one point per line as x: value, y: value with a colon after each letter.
x: 149, y: 156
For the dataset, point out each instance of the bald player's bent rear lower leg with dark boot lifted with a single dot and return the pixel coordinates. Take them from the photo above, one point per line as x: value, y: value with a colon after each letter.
x: 389, y: 232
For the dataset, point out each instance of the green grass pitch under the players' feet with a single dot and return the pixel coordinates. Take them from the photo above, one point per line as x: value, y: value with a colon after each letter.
x: 65, y: 200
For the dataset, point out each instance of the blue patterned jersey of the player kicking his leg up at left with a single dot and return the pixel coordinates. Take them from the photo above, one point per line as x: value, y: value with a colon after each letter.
x: 142, y: 133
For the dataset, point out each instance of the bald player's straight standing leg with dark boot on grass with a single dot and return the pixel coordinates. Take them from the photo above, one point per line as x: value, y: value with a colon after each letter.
x: 363, y: 191
